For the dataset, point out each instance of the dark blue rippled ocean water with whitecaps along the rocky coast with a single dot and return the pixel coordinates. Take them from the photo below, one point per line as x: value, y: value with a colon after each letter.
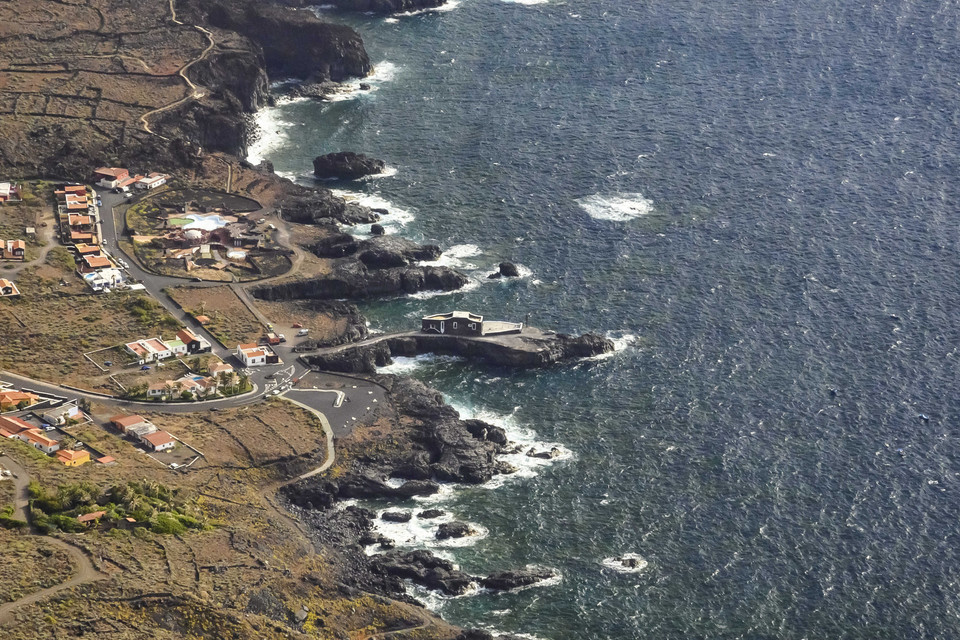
x: 759, y: 200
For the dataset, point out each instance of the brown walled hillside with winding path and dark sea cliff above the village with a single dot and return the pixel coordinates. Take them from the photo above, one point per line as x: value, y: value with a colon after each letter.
x: 122, y: 81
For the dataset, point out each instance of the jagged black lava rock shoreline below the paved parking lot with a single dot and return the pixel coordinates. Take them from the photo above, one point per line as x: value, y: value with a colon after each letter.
x: 437, y: 446
